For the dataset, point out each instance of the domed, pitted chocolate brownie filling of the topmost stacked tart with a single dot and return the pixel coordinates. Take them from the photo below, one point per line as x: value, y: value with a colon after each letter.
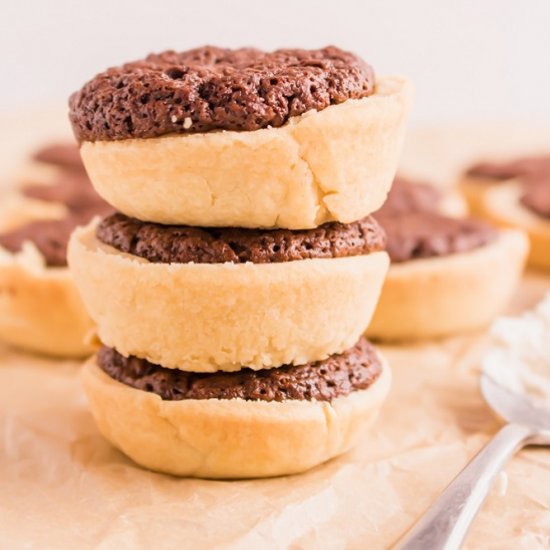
x: 213, y: 88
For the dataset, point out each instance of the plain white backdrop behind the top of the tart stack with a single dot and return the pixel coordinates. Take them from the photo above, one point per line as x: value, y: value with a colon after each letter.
x: 470, y: 60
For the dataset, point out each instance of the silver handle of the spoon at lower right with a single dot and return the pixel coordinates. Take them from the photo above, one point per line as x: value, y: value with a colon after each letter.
x: 445, y: 525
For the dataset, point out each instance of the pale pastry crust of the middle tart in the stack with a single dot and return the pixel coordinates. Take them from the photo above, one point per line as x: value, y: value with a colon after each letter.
x: 207, y: 317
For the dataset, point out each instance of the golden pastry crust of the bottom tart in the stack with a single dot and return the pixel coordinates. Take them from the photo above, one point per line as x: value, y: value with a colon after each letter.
x: 233, y: 438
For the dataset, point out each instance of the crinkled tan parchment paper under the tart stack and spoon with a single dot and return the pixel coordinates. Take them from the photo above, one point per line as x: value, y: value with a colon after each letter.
x: 62, y: 486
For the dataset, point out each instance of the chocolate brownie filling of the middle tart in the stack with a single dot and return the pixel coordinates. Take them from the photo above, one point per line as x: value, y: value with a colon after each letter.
x: 182, y: 244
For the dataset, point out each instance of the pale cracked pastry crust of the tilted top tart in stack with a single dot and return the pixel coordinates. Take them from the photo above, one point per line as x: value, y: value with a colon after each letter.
x: 336, y: 164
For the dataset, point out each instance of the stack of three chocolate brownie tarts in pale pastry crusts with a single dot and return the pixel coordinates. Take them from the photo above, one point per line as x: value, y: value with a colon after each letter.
x: 232, y: 287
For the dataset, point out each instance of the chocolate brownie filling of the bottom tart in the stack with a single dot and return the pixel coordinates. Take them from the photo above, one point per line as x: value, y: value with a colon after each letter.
x: 339, y: 375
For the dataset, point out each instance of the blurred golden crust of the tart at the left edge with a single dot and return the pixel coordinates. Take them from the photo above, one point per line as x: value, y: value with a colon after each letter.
x: 40, y: 309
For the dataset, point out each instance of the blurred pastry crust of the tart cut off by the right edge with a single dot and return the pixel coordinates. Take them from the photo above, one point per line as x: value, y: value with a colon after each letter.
x: 502, y: 206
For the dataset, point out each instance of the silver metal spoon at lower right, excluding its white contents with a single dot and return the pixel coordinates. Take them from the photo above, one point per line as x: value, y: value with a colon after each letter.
x: 446, y: 523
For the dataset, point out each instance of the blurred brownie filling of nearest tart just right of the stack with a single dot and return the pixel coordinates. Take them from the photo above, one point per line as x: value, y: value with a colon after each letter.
x: 425, y: 235
